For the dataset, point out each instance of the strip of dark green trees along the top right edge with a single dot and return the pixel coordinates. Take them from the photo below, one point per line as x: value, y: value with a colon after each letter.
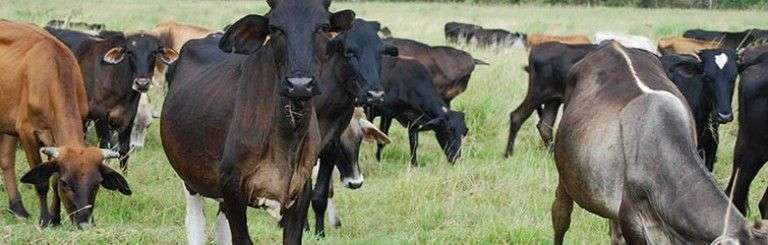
x: 742, y: 4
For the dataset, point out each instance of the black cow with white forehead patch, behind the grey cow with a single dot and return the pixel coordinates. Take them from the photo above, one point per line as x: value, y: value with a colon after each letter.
x: 708, y: 86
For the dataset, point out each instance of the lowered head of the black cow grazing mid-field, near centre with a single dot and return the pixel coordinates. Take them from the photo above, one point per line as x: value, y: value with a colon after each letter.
x: 450, y: 130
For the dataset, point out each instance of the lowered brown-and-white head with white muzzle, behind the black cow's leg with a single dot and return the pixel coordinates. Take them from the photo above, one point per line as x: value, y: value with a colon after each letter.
x: 359, y: 129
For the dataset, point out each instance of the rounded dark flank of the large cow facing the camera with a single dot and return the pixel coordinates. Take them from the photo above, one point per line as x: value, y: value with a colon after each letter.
x: 201, y: 98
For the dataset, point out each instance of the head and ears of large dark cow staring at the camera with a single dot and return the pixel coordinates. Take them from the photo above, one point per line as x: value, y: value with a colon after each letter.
x: 294, y: 30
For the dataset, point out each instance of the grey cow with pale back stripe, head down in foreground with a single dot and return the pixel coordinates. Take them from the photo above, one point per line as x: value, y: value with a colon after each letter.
x: 626, y: 151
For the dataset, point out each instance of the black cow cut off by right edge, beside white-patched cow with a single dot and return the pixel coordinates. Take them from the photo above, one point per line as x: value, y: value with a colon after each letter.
x: 751, y: 150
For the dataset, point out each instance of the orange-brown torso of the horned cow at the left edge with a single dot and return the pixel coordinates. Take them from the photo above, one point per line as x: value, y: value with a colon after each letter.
x: 39, y: 75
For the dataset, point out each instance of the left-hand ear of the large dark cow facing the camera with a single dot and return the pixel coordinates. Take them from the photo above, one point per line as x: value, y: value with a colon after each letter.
x: 246, y: 35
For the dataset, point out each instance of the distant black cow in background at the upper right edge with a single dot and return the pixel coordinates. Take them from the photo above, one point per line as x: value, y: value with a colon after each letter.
x: 730, y: 40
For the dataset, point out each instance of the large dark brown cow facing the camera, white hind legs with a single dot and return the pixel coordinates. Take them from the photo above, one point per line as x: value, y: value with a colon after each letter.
x: 260, y: 144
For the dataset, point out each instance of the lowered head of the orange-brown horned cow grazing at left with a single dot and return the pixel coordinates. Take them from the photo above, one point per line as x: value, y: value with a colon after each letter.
x: 80, y: 172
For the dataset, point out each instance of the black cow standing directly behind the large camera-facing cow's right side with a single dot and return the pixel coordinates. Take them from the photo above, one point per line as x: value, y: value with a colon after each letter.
x: 352, y: 74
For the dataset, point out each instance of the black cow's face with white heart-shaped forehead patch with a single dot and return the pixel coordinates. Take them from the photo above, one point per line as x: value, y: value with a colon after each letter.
x: 720, y: 71
